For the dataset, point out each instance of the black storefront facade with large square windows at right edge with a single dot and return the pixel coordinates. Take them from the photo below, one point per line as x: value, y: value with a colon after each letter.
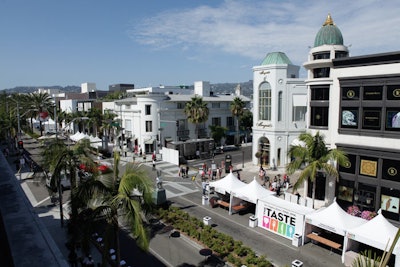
x: 370, y: 108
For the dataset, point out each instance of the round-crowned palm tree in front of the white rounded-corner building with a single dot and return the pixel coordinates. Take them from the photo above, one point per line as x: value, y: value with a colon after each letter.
x: 196, y: 111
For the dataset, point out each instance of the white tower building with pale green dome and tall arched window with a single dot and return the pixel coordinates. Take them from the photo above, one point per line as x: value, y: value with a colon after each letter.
x: 280, y: 106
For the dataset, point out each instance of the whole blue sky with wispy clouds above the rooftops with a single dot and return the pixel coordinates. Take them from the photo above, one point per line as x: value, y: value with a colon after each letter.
x: 174, y: 42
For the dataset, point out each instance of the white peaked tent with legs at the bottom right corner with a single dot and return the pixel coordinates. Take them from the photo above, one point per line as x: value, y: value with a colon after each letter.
x: 378, y: 233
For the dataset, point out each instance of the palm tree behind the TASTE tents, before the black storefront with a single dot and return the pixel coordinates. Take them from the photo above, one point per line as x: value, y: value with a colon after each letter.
x: 316, y: 157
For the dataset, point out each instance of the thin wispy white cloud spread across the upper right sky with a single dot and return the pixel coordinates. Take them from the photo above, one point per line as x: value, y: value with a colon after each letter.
x: 252, y: 29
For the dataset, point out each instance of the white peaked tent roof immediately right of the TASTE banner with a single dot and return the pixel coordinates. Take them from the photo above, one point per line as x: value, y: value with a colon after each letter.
x: 333, y: 218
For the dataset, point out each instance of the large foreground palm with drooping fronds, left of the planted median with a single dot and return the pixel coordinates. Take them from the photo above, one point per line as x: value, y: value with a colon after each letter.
x: 111, y: 199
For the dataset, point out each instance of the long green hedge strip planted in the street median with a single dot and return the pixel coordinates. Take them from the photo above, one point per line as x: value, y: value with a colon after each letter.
x: 223, y: 245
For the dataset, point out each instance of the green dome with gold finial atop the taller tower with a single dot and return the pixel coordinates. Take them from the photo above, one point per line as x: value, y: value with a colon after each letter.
x: 329, y: 34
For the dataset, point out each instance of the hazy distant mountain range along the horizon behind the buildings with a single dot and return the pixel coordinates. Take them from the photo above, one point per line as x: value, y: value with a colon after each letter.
x: 217, y: 88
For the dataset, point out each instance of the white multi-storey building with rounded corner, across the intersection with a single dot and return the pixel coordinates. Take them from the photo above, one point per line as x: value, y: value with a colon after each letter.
x: 155, y: 116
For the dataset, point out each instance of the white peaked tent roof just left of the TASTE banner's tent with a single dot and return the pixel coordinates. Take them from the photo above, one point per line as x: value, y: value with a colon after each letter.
x: 252, y: 192
